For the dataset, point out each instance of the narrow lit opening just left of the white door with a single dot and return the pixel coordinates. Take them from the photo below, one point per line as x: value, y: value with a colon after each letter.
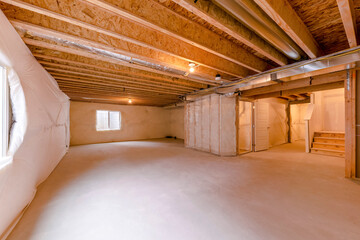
x: 245, y: 126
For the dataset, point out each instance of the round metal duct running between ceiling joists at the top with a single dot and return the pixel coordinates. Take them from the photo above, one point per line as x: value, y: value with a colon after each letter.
x: 247, y: 12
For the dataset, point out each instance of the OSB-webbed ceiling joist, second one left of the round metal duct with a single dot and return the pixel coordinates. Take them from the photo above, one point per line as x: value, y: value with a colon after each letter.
x: 166, y: 21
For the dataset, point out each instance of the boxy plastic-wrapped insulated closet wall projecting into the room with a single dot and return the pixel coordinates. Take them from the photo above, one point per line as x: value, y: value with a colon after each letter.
x: 210, y: 125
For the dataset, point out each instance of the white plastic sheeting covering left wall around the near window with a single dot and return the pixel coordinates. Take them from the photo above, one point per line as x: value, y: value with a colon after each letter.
x: 39, y: 135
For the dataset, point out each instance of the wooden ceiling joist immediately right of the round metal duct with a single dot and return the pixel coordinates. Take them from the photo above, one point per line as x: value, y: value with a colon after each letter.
x: 286, y: 17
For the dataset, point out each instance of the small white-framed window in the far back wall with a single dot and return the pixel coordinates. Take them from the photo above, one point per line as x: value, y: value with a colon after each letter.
x: 108, y: 120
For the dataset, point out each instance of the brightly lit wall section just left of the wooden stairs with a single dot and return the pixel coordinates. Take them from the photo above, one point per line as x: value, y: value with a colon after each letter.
x: 297, y: 113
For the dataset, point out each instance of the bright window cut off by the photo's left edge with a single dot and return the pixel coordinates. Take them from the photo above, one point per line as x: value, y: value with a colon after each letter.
x: 5, y: 113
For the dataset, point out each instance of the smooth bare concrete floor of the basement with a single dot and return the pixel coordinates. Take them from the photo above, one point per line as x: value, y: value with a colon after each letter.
x: 159, y: 190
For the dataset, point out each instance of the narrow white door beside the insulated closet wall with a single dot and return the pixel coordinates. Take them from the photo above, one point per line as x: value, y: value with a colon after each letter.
x: 261, y: 126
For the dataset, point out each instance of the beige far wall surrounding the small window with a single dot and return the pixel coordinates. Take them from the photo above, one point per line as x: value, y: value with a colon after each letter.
x: 137, y: 122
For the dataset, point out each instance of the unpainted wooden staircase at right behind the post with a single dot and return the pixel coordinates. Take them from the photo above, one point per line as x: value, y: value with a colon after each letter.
x: 329, y: 143
